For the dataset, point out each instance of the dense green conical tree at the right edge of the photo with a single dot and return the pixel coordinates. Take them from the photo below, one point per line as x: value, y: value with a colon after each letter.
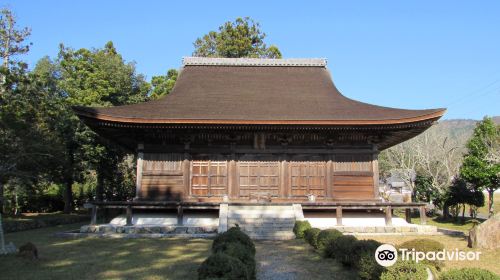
x: 478, y: 168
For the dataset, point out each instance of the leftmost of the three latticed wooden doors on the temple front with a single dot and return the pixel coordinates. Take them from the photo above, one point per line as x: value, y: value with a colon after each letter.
x: 209, y: 178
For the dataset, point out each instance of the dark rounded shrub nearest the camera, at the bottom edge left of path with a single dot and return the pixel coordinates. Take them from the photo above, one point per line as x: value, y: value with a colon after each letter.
x: 222, y: 266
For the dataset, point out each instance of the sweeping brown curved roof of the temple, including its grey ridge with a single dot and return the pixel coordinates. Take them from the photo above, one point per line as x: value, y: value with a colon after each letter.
x: 256, y: 91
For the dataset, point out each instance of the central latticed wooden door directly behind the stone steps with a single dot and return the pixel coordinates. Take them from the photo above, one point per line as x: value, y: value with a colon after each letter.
x: 259, y: 178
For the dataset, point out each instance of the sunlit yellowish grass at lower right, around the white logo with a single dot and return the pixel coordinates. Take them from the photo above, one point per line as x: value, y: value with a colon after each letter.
x: 488, y: 259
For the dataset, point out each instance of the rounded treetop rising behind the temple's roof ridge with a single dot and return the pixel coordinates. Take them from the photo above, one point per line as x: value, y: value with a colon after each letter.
x: 241, y: 38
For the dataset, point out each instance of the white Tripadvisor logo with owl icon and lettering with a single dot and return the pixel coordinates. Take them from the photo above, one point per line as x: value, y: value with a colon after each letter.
x: 386, y: 255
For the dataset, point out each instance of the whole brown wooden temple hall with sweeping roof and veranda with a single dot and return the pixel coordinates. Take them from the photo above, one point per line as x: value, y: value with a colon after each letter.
x: 242, y: 131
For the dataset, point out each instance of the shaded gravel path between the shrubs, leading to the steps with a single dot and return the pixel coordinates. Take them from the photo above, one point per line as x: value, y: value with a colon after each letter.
x: 295, y: 259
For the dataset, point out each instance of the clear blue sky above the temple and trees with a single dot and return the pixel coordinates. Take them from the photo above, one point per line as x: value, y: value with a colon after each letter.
x: 407, y: 54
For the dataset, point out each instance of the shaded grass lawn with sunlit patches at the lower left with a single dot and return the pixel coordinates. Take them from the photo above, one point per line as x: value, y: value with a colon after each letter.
x: 97, y: 258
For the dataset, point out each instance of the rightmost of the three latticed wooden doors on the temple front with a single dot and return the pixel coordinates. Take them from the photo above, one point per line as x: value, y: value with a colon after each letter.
x: 307, y: 177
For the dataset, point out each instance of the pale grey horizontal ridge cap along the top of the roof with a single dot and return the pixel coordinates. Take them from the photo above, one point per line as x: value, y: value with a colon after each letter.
x: 219, y: 61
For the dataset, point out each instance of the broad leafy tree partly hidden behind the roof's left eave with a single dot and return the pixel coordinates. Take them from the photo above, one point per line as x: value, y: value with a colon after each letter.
x: 99, y: 77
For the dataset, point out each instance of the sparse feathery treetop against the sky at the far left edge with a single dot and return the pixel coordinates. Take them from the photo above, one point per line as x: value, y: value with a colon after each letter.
x: 11, y: 39
